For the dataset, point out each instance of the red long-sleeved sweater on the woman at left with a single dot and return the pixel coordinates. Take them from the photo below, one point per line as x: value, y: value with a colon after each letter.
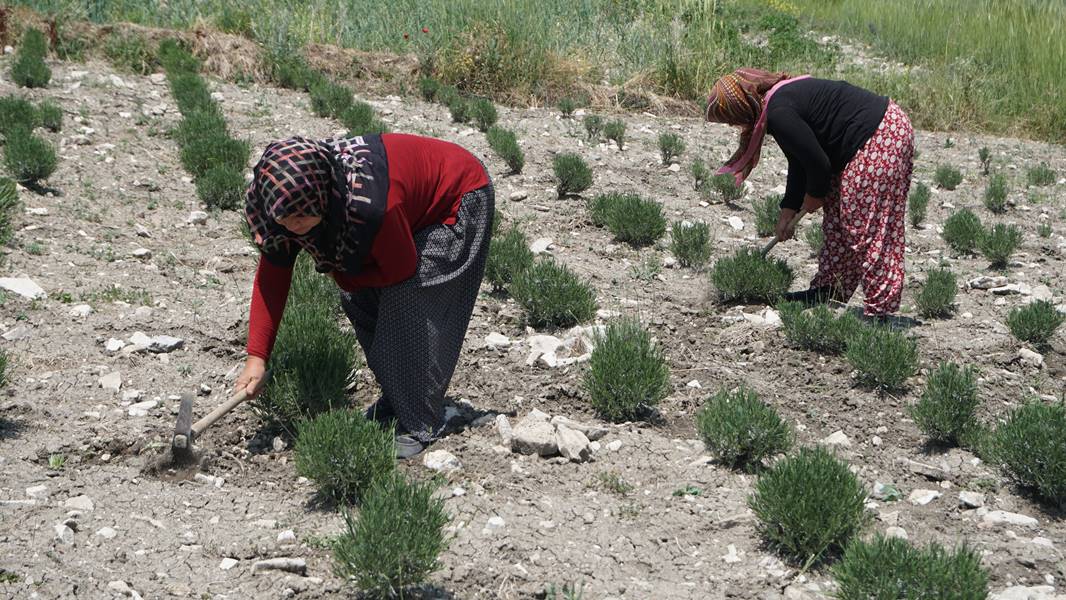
x: 428, y: 180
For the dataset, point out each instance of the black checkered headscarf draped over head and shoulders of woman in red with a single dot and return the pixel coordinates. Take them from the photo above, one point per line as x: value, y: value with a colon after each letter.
x: 345, y: 182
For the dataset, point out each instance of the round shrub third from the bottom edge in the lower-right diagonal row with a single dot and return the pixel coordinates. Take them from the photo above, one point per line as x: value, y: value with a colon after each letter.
x: 741, y: 431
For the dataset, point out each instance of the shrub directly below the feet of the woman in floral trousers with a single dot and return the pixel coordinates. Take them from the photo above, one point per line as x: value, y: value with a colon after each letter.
x: 883, y: 359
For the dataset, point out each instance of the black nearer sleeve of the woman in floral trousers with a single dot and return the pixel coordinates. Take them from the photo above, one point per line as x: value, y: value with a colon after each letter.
x: 801, y: 147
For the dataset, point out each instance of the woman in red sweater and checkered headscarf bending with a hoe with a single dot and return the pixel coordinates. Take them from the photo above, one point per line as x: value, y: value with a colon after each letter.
x: 402, y: 224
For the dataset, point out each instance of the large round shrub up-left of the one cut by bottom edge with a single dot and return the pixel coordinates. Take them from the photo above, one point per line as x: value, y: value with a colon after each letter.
x: 809, y: 507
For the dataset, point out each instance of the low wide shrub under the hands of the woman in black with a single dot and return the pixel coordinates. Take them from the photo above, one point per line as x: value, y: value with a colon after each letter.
x: 750, y: 278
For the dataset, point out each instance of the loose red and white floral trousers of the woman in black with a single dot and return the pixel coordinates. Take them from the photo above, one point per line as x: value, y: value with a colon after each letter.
x: 864, y: 221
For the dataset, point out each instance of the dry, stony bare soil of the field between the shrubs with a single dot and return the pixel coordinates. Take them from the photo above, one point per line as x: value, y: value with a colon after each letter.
x: 683, y: 528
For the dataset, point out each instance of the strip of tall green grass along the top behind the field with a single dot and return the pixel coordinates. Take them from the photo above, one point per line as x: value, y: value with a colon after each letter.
x: 987, y: 66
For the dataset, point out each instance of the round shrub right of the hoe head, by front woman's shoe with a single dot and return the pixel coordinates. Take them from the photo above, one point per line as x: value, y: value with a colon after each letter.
x: 344, y: 453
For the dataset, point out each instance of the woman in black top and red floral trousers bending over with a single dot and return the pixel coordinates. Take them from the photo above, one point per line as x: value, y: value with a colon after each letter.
x: 851, y: 153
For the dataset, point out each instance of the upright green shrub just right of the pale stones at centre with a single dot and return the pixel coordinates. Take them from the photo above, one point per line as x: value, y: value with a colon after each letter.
x: 627, y: 374
